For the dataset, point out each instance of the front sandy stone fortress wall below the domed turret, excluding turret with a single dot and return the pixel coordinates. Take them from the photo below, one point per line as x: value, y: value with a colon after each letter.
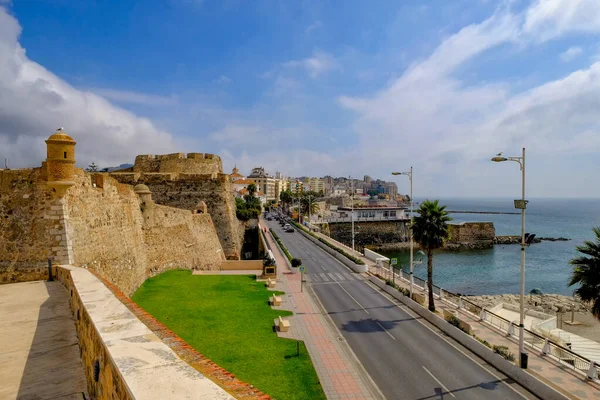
x: 100, y: 224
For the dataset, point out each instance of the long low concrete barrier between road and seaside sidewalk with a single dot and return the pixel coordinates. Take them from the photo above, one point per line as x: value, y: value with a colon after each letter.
x: 519, y: 375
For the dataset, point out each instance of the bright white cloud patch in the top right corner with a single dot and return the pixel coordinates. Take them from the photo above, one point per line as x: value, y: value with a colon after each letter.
x: 547, y: 19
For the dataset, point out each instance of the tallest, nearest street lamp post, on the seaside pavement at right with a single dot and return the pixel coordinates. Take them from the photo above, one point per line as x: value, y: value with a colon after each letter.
x: 522, y: 205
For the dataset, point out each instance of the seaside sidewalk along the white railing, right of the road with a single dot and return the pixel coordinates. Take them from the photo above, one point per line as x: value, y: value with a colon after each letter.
x: 554, y: 373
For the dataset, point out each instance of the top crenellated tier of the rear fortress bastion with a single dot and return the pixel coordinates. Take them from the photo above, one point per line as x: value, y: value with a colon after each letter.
x: 195, y: 163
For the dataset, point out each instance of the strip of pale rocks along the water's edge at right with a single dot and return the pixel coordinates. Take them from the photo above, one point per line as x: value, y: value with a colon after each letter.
x: 546, y: 303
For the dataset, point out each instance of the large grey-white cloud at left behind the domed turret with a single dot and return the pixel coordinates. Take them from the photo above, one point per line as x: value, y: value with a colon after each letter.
x: 34, y: 102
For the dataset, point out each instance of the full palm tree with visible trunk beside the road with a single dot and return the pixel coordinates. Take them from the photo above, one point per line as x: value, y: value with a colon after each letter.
x: 430, y: 230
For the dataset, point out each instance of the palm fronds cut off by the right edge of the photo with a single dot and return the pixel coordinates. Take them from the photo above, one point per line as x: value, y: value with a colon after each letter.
x: 586, y: 272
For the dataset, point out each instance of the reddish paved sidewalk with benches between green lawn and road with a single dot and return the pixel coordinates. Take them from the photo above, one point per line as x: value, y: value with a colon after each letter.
x: 340, y: 373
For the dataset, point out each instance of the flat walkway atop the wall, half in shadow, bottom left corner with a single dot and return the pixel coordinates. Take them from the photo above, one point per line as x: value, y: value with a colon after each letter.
x: 39, y: 352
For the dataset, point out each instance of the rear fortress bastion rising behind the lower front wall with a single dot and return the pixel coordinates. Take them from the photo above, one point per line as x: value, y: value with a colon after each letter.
x: 179, y: 181
